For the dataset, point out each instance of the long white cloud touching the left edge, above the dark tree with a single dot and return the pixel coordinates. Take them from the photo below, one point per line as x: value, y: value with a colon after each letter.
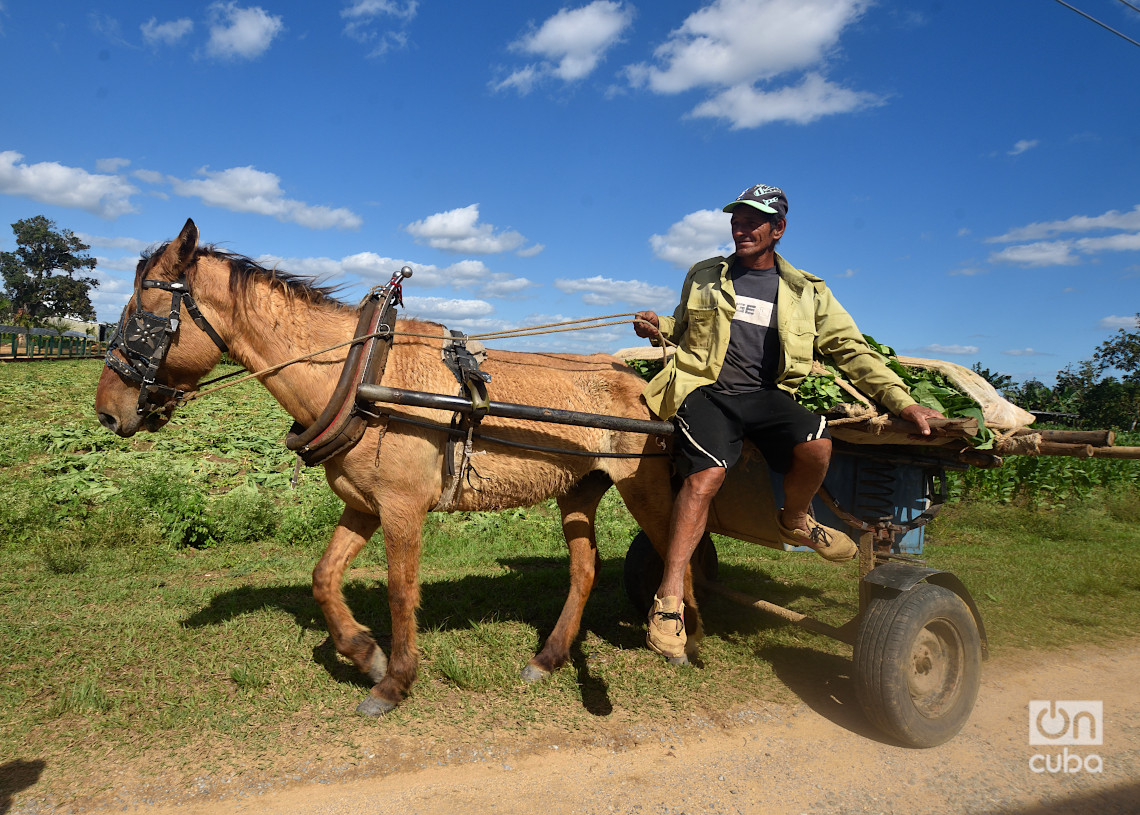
x: 51, y: 183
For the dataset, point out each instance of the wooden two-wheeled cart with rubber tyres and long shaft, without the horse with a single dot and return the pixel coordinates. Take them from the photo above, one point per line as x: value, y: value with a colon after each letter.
x: 918, y: 635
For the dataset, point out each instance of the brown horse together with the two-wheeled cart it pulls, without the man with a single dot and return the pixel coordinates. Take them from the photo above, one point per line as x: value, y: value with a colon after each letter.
x: 918, y: 638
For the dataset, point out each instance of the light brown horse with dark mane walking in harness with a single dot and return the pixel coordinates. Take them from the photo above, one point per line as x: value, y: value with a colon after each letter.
x: 396, y: 475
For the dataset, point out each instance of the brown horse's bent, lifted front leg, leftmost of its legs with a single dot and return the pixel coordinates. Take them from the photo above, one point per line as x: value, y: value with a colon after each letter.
x: 349, y: 637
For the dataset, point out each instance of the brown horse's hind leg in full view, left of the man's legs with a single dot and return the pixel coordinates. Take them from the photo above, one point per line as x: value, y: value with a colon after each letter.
x: 579, y: 507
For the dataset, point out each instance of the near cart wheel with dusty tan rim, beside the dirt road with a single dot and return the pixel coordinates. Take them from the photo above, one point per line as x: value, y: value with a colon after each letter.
x: 918, y: 664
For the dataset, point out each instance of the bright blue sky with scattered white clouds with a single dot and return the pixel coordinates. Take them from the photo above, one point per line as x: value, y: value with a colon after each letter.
x: 966, y: 176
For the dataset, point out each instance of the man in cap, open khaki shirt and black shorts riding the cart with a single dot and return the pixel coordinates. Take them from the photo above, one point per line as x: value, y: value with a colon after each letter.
x: 746, y: 332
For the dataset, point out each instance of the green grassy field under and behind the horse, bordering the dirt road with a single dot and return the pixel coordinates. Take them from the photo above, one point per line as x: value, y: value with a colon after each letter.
x: 157, y: 602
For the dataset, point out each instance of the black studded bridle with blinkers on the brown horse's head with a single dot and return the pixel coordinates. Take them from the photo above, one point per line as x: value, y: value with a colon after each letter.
x: 144, y: 339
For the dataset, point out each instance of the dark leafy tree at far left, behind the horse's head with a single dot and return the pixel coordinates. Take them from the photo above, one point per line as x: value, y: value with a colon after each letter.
x: 43, y: 278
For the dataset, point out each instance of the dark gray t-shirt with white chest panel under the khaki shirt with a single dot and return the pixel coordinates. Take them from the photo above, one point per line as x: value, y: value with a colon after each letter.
x: 753, y: 358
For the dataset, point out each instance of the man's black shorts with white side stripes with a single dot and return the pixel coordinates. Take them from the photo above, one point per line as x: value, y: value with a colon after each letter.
x: 712, y: 429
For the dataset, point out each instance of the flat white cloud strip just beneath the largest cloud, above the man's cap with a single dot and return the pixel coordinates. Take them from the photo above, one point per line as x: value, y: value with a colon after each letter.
x: 745, y: 107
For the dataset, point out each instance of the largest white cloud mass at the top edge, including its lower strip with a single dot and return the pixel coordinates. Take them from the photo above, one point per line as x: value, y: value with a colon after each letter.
x: 731, y: 46
